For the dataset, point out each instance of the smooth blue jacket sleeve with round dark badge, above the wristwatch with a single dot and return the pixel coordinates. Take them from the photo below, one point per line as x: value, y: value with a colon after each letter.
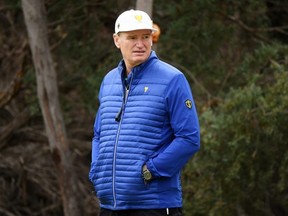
x: 185, y: 126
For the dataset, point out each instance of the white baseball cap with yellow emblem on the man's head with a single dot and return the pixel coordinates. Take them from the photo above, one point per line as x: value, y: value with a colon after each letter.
x: 131, y: 20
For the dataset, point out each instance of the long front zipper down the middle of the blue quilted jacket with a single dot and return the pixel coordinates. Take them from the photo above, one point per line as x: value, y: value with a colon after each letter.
x: 119, y: 119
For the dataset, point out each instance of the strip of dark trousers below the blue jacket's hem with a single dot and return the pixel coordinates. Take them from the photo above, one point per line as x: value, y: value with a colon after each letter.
x: 142, y: 212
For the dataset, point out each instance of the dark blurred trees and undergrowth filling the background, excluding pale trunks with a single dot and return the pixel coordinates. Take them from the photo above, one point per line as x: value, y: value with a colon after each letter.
x: 235, y: 56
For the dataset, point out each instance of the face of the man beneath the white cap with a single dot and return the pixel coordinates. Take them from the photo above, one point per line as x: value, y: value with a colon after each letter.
x: 135, y: 46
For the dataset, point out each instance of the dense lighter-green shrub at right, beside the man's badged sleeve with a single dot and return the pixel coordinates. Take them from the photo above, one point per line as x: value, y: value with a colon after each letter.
x: 242, y: 166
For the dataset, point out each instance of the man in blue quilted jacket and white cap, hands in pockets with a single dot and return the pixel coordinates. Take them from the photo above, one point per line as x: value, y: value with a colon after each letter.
x: 146, y: 128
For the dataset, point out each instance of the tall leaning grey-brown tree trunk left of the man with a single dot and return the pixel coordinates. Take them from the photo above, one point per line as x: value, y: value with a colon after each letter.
x: 47, y: 90
